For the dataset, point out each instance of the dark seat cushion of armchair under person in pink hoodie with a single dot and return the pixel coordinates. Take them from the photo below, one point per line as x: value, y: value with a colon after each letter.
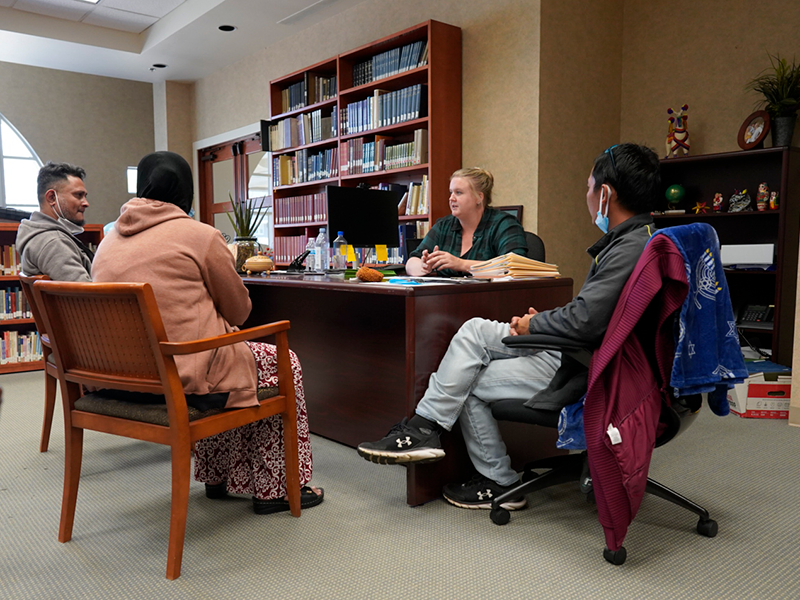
x: 154, y: 412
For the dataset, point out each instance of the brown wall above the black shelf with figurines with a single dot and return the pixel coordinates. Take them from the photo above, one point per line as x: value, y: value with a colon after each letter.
x: 701, y: 54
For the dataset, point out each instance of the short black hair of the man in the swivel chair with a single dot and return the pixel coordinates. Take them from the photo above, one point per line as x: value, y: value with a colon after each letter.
x: 634, y: 172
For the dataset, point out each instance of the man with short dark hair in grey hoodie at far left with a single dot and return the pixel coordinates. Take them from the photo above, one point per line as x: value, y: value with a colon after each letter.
x: 47, y: 241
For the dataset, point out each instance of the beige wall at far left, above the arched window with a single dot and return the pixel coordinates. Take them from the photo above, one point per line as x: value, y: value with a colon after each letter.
x: 99, y: 123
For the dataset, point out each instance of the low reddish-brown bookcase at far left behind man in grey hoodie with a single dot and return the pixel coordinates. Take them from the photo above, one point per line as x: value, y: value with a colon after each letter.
x: 9, y: 283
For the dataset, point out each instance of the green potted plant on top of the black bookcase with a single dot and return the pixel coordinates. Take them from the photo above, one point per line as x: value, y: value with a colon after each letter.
x: 780, y: 86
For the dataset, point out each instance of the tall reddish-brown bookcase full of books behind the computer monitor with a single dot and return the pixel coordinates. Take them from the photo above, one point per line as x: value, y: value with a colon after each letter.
x: 418, y: 97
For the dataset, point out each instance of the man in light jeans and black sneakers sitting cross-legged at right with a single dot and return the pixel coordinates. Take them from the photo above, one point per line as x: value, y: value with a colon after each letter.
x: 478, y: 369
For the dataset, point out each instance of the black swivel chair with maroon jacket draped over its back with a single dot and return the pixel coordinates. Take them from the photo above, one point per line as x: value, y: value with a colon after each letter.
x: 574, y: 467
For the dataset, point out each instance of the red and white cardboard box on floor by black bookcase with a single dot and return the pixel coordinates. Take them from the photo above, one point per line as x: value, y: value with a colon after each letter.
x: 762, y: 397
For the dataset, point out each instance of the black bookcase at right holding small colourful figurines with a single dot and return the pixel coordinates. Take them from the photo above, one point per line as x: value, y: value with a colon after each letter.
x: 703, y: 176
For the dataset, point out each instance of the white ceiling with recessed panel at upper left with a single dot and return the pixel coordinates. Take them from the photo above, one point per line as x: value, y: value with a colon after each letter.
x: 125, y: 38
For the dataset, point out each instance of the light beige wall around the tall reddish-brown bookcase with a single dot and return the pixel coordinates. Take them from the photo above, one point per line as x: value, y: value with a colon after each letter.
x: 500, y: 81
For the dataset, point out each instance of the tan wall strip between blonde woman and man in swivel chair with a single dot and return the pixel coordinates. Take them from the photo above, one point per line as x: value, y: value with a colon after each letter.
x: 579, y: 117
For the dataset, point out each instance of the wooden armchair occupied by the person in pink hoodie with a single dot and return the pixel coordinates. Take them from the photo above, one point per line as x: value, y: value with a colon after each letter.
x: 111, y: 336
